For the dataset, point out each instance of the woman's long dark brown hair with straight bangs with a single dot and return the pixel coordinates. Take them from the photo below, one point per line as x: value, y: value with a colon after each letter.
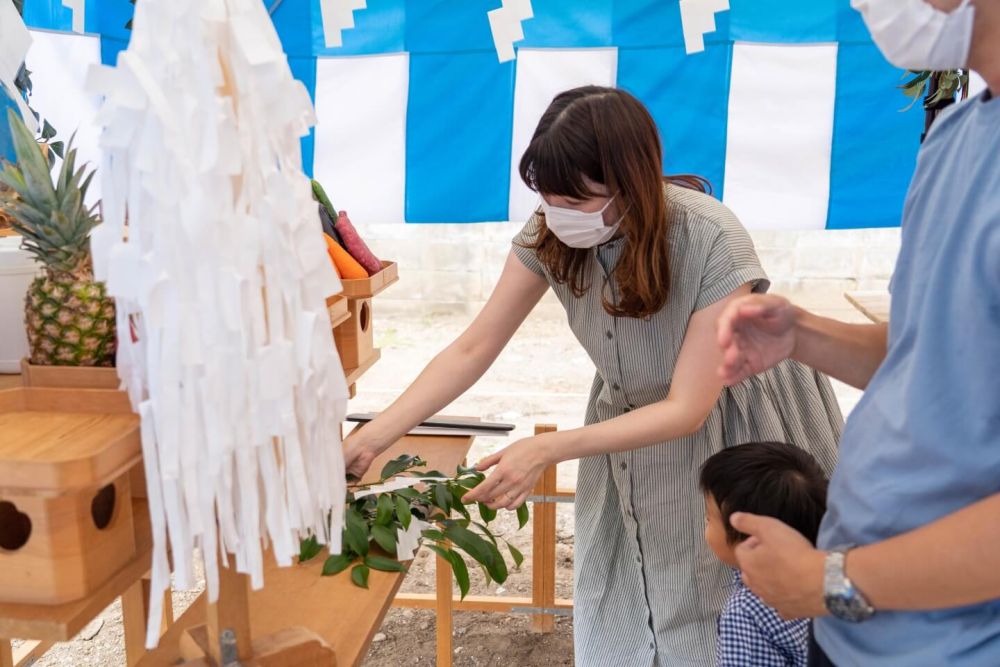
x: 607, y: 136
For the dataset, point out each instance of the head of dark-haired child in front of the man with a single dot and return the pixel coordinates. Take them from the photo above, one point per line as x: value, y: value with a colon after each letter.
x: 765, y: 478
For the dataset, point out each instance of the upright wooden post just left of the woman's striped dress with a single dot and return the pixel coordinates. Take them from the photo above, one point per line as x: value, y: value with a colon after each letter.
x: 543, y: 547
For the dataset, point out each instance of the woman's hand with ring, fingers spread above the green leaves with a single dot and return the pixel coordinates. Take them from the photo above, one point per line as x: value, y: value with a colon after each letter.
x: 518, y: 467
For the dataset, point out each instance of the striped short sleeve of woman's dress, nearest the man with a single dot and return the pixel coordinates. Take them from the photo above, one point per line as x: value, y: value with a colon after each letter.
x: 731, y: 262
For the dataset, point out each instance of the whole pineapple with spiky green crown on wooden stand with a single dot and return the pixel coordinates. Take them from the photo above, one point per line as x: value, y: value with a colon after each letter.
x: 69, y: 317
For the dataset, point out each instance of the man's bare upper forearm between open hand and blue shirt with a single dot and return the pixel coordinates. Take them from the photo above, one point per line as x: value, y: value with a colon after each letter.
x: 850, y: 353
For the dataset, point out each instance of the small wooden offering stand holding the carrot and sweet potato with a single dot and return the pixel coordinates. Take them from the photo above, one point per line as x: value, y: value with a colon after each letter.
x: 355, y: 335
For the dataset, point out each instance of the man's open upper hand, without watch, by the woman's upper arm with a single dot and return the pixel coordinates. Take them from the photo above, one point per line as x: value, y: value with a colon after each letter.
x: 755, y: 333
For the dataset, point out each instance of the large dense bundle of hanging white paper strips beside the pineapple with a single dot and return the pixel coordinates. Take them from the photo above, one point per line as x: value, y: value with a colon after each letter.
x: 211, y: 248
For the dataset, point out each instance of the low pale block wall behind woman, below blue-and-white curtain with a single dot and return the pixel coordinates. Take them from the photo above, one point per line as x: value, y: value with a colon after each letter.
x: 454, y: 267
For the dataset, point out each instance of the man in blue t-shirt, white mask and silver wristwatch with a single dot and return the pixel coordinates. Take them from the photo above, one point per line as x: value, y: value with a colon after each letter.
x: 908, y: 570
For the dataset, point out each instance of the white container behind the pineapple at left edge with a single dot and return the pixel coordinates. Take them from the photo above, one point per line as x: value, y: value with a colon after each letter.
x: 17, y: 270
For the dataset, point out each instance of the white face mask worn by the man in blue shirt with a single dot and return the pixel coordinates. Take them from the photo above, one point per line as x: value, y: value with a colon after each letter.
x: 914, y: 35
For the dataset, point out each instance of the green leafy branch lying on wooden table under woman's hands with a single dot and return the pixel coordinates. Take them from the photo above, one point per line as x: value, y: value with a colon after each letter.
x: 378, y: 518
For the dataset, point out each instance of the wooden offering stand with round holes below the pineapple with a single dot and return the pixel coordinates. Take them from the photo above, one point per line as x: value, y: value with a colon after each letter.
x: 66, y: 523
